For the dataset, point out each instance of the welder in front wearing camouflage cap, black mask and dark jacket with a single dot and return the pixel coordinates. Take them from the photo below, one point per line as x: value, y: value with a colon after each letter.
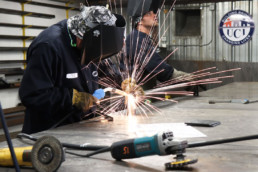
x: 60, y: 81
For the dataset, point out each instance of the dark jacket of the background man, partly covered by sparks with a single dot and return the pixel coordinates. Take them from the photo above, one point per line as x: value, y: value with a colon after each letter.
x: 139, y: 43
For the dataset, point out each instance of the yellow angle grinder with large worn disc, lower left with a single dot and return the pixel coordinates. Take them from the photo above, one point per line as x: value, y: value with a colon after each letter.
x: 46, y: 155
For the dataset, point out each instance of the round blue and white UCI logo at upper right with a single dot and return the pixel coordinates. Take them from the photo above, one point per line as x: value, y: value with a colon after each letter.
x: 236, y: 27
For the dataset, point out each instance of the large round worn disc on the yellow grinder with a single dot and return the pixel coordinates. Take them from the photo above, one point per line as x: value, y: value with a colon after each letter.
x: 47, y: 154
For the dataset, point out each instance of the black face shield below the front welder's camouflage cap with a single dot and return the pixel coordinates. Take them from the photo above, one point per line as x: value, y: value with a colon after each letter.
x: 102, y: 42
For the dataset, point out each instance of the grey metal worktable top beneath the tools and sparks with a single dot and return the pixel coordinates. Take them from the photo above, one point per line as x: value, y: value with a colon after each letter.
x: 236, y: 120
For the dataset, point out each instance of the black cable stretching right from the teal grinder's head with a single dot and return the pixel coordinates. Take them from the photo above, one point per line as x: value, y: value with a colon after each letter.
x: 216, y: 142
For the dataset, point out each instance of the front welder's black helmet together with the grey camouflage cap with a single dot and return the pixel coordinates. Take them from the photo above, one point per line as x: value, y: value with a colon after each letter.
x: 102, y: 32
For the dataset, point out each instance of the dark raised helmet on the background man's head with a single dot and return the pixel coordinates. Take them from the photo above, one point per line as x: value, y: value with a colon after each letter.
x: 136, y: 9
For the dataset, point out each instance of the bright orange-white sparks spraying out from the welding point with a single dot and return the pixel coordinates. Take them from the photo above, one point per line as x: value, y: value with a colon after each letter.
x: 129, y: 95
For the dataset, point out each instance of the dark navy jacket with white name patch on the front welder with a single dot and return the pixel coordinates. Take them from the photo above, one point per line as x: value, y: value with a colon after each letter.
x: 53, y: 70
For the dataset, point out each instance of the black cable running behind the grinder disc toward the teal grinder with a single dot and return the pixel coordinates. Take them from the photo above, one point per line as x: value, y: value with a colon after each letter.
x: 67, y: 145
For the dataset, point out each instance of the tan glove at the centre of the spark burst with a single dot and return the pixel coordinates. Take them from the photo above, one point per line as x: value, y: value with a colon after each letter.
x: 129, y: 86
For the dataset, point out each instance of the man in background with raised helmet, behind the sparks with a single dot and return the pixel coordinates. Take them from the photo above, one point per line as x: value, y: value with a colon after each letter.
x: 139, y: 43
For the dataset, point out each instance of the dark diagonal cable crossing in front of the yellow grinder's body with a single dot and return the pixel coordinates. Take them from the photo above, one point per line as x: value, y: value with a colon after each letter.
x: 9, y: 141
